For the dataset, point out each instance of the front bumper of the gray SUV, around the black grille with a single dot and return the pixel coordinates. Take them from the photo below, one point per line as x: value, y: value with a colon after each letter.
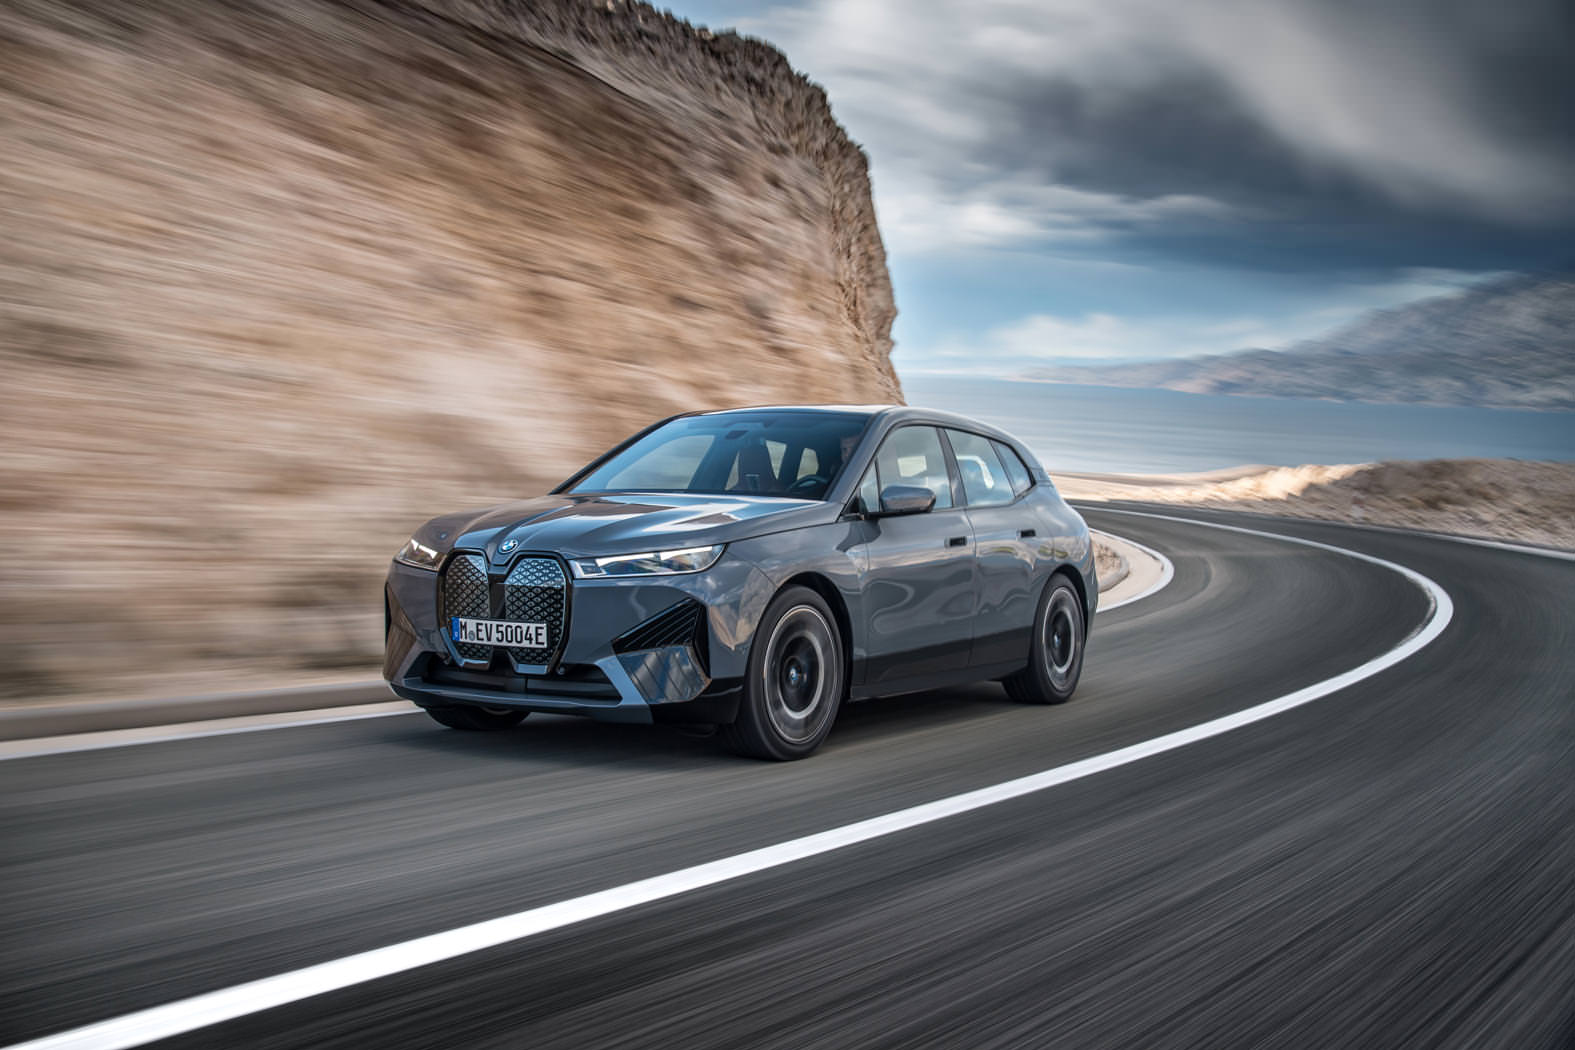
x: 634, y: 649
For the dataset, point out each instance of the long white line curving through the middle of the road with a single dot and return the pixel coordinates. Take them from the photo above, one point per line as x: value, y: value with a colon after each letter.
x: 174, y: 1019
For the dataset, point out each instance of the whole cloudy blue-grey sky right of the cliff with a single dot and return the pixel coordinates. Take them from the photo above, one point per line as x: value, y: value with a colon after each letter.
x: 1125, y: 180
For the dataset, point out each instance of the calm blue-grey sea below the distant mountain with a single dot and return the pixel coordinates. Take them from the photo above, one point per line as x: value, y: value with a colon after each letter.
x: 1095, y: 429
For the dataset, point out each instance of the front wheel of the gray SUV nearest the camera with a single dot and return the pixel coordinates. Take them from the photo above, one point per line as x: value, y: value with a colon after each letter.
x: 795, y: 682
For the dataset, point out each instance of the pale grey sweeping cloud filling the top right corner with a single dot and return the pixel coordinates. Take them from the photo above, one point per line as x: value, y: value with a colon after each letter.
x: 1403, y: 97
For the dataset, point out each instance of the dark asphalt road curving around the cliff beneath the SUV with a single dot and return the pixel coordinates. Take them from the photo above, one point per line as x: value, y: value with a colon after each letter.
x: 1388, y: 867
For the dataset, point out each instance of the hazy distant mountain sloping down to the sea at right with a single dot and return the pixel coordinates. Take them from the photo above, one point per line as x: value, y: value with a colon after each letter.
x: 1508, y: 344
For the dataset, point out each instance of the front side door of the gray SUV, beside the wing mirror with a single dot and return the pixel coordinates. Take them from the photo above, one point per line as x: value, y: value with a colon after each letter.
x: 921, y: 575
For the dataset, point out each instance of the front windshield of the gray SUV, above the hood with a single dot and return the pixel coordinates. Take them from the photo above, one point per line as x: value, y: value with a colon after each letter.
x: 758, y: 453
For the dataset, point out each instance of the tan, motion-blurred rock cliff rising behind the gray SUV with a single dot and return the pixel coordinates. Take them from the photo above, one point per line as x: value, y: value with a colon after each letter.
x: 284, y: 278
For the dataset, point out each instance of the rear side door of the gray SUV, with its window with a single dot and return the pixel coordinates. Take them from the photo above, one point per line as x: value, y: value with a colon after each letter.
x: 1006, y: 541
